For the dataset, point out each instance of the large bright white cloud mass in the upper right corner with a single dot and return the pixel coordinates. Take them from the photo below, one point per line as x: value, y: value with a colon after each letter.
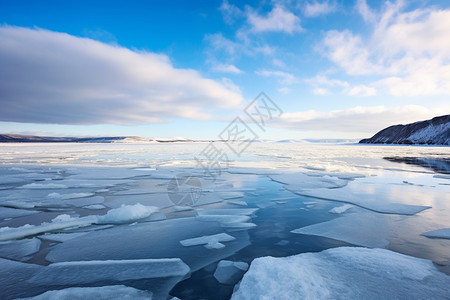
x: 409, y: 51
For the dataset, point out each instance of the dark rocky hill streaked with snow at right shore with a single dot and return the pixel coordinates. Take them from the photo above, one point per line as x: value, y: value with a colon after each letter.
x: 433, y: 132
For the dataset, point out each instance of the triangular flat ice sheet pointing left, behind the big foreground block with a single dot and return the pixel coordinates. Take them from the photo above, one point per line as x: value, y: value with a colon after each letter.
x: 363, y: 229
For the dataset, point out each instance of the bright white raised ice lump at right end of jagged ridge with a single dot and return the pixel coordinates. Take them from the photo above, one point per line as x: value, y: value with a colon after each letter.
x: 126, y: 214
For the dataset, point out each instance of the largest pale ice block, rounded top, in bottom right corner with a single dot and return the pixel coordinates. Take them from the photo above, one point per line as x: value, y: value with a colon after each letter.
x: 343, y: 273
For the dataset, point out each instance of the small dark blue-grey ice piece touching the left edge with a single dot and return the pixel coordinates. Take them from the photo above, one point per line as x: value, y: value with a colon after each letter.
x: 19, y: 250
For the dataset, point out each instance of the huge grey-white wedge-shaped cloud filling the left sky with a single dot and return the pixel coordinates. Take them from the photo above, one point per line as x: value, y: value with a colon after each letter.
x: 50, y: 77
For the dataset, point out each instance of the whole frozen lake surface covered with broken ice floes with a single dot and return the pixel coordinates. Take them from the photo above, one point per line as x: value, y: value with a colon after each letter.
x: 143, y: 220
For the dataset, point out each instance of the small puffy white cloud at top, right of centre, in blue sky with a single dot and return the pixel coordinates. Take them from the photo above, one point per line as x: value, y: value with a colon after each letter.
x: 278, y: 19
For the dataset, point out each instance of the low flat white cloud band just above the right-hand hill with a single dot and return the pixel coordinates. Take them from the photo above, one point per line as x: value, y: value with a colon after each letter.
x: 357, y: 119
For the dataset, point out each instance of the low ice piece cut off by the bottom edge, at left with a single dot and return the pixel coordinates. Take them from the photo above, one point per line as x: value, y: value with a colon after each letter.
x: 101, y: 293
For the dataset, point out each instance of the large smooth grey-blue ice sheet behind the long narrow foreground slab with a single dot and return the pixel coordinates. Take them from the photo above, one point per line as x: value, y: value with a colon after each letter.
x: 149, y: 240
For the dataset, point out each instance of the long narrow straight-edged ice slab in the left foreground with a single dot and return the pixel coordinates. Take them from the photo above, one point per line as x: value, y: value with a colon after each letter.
x: 82, y: 272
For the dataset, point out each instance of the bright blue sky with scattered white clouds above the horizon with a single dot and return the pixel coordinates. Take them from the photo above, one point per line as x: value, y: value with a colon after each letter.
x: 338, y: 69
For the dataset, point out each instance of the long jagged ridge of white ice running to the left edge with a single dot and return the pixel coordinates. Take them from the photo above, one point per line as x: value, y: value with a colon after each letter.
x: 124, y: 214
